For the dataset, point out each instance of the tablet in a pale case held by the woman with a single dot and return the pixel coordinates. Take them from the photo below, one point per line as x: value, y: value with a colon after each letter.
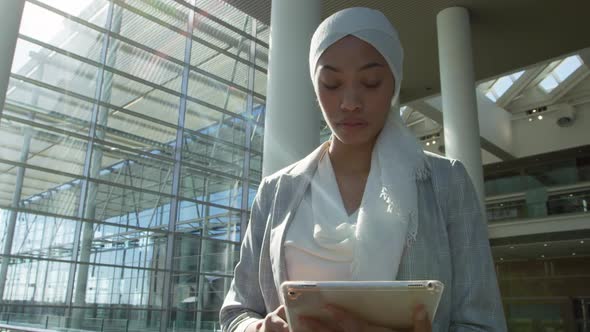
x: 388, y: 304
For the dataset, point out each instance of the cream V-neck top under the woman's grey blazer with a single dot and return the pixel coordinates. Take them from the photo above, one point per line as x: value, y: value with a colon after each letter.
x: 319, y: 244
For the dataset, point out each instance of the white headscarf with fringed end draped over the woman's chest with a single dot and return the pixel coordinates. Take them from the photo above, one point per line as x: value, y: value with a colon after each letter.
x: 387, y: 220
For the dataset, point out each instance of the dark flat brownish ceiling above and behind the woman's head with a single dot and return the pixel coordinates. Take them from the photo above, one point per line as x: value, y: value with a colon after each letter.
x: 506, y: 34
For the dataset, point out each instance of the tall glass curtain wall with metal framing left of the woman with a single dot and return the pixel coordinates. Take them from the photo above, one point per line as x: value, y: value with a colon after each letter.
x: 130, y: 152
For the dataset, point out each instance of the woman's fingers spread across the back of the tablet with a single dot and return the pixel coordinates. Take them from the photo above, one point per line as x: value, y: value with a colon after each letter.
x: 349, y: 323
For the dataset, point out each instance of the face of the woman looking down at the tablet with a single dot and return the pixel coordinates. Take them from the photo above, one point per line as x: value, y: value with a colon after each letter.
x: 354, y: 86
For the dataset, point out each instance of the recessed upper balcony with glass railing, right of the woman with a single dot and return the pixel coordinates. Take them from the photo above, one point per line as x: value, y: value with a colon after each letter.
x: 538, y: 186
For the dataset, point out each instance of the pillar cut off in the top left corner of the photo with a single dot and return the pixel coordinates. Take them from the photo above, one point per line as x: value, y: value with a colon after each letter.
x: 10, y: 16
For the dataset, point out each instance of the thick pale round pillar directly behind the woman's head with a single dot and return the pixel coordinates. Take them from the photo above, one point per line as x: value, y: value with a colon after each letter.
x: 292, y: 121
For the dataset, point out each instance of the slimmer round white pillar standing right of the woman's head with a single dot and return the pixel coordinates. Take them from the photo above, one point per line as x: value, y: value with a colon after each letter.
x: 460, y: 117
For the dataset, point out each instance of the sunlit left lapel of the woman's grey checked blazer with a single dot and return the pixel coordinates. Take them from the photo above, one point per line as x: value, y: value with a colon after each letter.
x: 289, y: 192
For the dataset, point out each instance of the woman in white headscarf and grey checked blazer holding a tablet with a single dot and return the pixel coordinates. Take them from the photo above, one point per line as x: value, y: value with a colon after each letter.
x: 367, y: 205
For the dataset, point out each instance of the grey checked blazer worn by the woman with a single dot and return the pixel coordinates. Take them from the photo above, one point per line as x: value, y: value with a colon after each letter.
x: 452, y: 246
